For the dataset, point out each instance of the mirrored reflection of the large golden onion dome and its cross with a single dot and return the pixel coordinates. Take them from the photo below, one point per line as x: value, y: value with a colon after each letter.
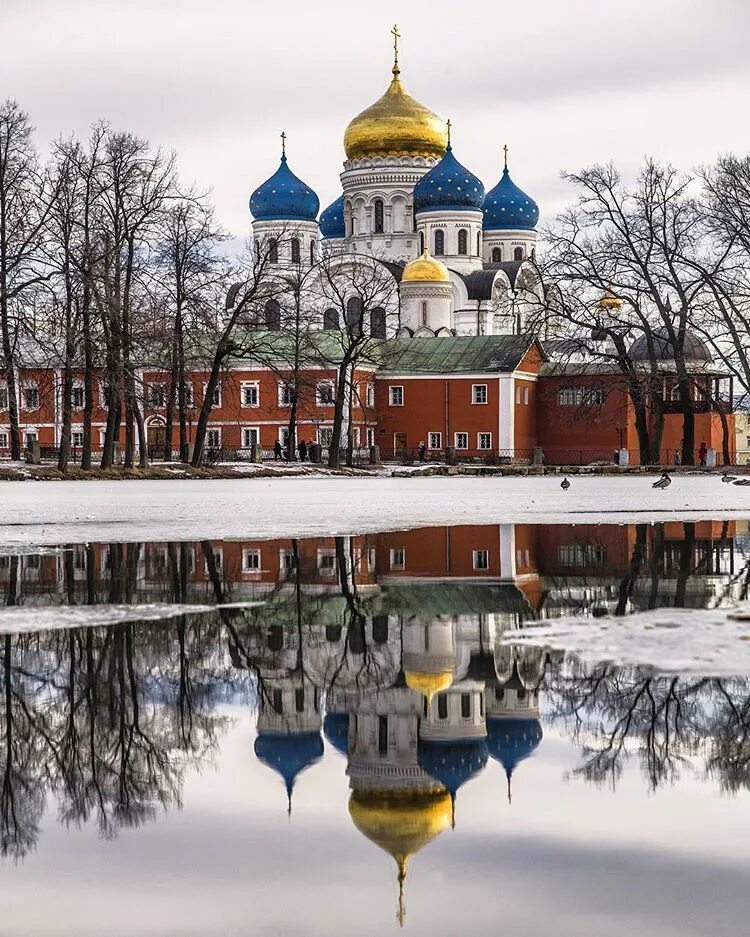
x: 401, y: 823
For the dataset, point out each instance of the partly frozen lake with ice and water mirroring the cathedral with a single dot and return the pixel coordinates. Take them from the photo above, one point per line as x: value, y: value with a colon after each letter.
x: 267, y: 733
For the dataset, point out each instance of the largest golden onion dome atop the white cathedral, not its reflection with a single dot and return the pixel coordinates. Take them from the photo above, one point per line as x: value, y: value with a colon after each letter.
x: 396, y: 125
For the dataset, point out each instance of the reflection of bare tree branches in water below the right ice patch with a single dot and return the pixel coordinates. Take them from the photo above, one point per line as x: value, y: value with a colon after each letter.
x: 670, y: 724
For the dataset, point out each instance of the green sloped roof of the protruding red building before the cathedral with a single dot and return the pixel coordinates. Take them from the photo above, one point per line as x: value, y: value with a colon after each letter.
x: 453, y: 354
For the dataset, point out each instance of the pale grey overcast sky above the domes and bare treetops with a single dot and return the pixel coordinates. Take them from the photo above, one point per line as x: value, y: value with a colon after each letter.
x: 564, y: 82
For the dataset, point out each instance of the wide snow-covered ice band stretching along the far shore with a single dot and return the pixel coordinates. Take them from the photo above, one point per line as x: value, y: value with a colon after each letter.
x: 54, y: 512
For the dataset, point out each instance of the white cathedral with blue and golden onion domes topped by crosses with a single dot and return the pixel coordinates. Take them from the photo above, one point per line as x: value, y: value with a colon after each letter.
x: 461, y: 257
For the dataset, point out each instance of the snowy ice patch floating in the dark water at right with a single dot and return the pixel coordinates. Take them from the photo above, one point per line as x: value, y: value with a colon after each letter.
x: 711, y: 642
